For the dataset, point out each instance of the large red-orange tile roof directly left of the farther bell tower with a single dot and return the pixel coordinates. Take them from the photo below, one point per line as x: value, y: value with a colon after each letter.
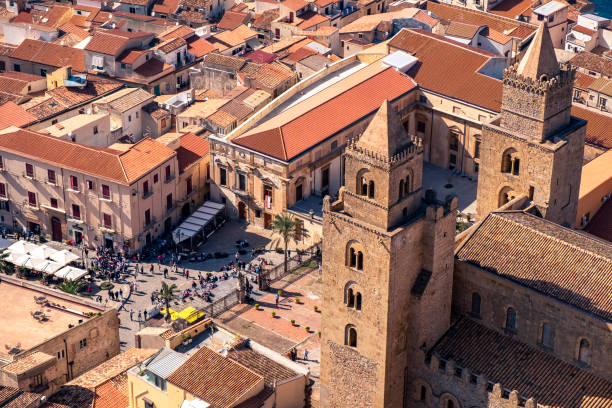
x: 441, y: 58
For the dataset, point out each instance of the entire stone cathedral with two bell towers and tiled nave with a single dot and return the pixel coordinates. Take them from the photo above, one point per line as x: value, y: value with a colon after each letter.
x: 514, y: 312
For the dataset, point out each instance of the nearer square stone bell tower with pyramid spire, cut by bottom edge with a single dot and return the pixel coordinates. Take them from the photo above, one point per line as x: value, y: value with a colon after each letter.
x: 387, y: 267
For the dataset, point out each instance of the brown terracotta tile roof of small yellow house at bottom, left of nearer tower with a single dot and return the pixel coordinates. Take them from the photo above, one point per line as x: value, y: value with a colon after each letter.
x: 200, y: 375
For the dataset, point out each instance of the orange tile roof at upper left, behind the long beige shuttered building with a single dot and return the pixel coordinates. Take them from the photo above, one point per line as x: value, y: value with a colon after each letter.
x: 46, y: 53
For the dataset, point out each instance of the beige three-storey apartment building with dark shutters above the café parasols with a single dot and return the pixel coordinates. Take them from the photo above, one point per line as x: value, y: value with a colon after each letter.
x: 96, y: 196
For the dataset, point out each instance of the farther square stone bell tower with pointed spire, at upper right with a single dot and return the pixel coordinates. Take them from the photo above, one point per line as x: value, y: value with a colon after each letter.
x: 534, y: 148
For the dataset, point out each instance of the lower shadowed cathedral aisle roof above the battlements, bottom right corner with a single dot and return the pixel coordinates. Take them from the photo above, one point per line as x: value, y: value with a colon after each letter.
x: 517, y: 366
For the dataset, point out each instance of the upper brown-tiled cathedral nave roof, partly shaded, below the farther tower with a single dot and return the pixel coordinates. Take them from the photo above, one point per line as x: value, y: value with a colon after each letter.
x: 553, y: 260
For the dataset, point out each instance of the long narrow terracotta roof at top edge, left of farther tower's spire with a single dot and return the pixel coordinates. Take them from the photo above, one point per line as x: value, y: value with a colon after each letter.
x: 502, y: 24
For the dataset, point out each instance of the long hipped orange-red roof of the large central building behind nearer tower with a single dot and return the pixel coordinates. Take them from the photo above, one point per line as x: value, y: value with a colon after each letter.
x: 306, y: 127
